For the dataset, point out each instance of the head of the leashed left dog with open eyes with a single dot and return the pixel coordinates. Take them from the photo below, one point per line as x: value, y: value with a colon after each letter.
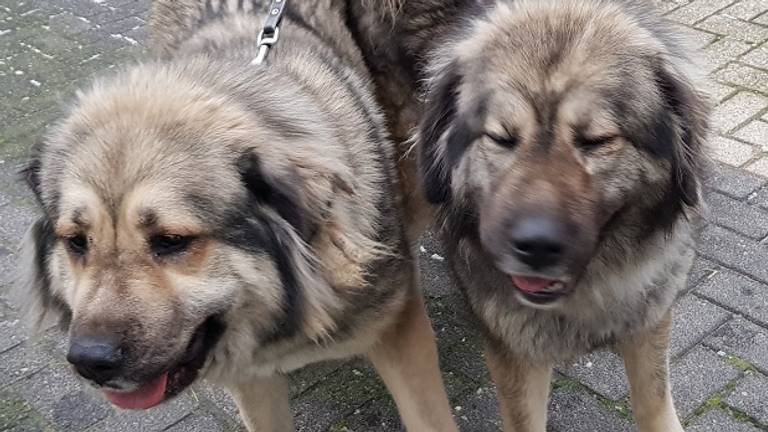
x: 169, y: 213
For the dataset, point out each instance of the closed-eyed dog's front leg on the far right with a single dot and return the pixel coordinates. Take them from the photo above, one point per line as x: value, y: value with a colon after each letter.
x: 646, y: 360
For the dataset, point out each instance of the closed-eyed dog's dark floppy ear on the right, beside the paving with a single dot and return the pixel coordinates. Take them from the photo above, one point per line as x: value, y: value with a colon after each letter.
x: 690, y: 110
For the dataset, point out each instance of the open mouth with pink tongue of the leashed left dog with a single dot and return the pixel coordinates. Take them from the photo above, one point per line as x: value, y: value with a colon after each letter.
x: 178, y: 377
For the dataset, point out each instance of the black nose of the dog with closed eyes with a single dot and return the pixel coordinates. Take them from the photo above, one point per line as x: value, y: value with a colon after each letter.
x: 538, y: 241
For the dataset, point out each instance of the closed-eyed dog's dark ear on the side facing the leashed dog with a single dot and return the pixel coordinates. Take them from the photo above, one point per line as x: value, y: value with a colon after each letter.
x: 439, y: 138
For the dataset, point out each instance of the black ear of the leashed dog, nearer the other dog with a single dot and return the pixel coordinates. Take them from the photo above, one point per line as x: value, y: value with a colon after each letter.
x: 280, y: 194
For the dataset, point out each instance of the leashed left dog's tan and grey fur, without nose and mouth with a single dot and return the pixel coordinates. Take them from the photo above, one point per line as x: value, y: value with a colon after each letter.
x: 283, y: 179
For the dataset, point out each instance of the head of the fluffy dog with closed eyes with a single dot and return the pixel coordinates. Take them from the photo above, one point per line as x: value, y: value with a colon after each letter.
x: 557, y: 124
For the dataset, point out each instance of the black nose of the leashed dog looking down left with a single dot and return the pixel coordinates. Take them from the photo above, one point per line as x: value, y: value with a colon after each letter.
x: 98, y: 359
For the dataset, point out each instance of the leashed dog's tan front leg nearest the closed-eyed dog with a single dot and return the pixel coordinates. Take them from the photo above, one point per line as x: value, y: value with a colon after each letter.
x: 406, y: 359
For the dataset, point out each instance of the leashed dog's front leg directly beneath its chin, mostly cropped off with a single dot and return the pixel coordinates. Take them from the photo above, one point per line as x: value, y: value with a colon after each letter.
x: 264, y: 403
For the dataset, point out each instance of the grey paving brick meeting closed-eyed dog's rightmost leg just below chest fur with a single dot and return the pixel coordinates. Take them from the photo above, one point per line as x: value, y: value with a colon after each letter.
x: 693, y: 320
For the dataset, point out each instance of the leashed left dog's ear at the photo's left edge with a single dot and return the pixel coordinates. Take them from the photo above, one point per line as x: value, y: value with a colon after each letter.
x: 33, y: 285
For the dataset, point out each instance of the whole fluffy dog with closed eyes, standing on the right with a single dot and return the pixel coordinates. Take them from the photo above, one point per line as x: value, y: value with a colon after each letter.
x: 561, y: 142
